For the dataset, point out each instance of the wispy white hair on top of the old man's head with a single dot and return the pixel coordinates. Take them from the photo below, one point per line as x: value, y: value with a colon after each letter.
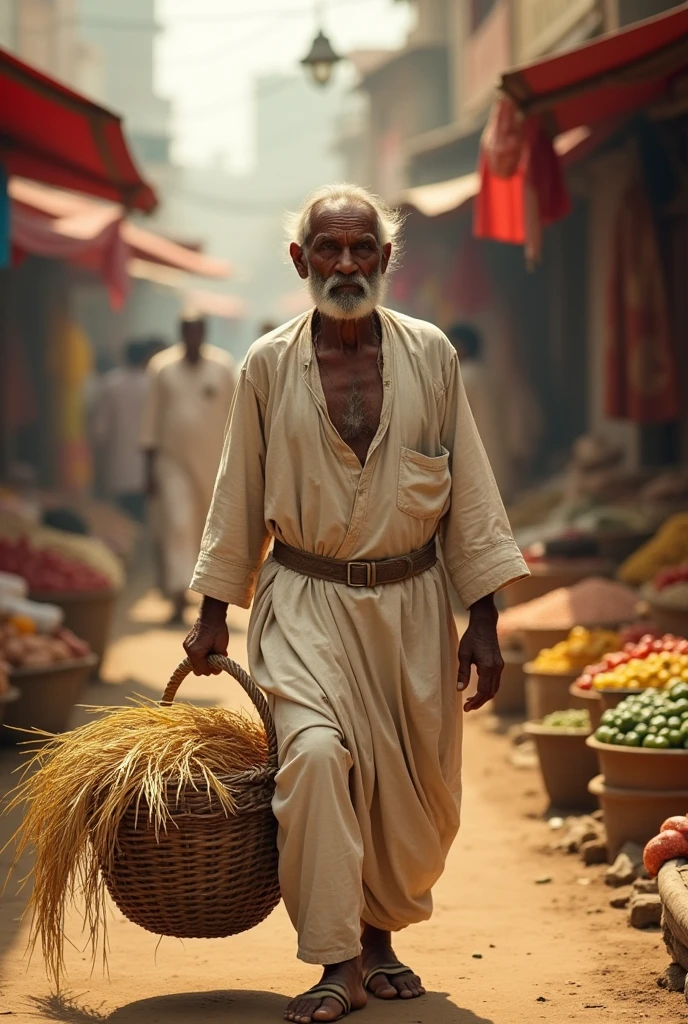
x: 390, y: 222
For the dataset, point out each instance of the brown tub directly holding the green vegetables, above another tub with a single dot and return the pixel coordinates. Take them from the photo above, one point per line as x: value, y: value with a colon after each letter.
x: 641, y: 769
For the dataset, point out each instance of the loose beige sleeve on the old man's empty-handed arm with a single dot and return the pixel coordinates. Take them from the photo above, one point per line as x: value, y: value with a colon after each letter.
x: 480, y: 550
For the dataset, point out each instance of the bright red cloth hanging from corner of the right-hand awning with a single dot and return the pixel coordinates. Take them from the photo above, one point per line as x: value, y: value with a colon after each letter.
x: 523, y: 187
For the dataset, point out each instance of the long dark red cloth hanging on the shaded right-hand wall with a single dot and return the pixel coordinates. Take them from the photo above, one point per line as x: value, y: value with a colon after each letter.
x: 641, y: 369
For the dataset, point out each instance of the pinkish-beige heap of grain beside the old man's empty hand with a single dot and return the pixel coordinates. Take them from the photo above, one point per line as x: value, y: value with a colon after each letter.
x: 592, y: 603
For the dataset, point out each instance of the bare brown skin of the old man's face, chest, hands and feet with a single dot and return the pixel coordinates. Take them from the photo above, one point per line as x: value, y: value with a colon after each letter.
x: 345, y: 241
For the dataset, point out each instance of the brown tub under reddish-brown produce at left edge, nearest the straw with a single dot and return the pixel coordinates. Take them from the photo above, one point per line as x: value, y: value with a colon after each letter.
x: 47, y: 697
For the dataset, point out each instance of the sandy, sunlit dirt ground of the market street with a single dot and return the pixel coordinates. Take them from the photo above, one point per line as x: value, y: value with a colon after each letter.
x: 549, y: 952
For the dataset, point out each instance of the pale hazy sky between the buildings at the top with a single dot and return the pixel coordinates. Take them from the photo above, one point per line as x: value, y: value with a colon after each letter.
x: 211, y: 51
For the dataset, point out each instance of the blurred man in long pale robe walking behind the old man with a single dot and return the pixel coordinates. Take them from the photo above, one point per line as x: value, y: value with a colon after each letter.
x: 191, y: 387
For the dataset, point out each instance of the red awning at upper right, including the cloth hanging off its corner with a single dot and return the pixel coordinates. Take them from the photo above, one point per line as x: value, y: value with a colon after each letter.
x: 522, y: 185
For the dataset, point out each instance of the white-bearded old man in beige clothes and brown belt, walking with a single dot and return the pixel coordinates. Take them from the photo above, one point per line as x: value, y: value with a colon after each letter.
x: 352, y: 447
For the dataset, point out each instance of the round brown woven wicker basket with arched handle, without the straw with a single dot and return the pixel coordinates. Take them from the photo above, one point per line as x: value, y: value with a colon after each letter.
x: 207, y: 876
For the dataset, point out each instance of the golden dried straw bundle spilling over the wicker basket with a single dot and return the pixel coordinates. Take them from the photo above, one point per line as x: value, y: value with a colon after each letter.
x: 78, y: 786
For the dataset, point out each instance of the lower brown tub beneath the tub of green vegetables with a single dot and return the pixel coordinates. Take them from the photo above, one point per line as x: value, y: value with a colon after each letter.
x: 635, y: 816
